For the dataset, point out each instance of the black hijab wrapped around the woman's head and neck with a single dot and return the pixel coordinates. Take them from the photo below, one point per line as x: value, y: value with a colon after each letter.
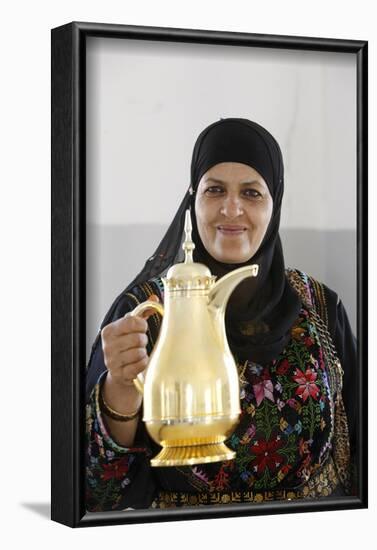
x: 261, y: 328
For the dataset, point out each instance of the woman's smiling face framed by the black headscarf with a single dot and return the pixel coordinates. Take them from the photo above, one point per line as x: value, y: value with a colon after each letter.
x: 233, y: 207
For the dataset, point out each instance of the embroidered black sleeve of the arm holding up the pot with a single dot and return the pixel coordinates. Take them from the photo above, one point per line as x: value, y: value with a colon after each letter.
x: 117, y: 477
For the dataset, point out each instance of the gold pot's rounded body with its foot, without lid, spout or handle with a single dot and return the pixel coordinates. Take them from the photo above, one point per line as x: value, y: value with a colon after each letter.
x: 191, y: 387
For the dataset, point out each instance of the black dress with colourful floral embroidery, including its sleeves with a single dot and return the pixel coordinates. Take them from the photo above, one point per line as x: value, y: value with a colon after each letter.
x: 289, y: 442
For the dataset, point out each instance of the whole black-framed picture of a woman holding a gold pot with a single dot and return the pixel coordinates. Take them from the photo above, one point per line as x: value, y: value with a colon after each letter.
x: 262, y: 406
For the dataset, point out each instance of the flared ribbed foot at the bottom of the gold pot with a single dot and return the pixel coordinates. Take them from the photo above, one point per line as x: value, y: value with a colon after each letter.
x: 193, y: 454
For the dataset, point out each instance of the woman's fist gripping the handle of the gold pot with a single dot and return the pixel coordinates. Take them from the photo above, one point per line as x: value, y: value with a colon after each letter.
x: 124, y: 347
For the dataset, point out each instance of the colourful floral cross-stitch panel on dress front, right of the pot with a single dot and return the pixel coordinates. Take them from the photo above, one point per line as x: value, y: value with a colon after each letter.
x: 285, y: 408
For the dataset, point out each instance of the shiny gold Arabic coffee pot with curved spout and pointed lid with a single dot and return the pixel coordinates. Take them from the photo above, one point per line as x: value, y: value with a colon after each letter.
x: 191, y: 387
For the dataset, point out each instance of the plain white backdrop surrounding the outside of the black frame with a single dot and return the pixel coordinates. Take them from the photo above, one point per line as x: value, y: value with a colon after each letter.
x: 25, y: 272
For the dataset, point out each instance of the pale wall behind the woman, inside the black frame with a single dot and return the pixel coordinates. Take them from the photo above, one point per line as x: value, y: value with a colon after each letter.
x: 147, y: 102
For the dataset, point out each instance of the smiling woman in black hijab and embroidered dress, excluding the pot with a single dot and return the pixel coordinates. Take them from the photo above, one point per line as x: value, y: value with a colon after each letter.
x: 289, y: 335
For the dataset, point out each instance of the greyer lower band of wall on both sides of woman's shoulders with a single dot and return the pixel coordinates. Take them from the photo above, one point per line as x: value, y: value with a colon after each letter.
x: 116, y: 254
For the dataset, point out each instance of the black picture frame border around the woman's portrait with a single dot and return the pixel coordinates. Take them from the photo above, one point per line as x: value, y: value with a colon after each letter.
x: 69, y: 270
